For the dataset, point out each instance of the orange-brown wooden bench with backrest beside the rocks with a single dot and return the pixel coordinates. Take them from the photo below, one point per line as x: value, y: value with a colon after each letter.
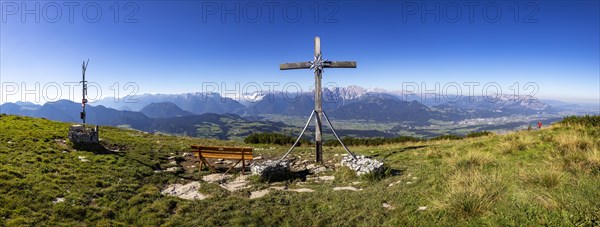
x: 232, y: 153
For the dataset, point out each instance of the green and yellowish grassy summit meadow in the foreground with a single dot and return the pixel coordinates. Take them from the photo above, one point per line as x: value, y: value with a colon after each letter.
x: 542, y: 177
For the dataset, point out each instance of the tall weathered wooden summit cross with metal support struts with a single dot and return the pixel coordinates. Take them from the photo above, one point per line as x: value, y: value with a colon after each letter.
x: 317, y: 66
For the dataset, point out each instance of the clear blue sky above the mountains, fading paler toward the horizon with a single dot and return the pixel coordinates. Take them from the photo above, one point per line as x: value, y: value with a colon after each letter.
x: 177, y: 46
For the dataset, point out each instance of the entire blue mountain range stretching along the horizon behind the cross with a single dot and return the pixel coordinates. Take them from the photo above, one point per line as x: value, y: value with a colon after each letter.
x: 210, y: 115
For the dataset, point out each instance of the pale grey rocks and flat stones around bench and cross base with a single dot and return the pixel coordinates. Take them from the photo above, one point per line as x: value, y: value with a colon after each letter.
x: 301, y: 173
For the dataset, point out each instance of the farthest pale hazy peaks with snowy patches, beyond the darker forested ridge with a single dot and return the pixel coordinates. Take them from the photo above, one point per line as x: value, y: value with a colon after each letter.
x: 351, y: 102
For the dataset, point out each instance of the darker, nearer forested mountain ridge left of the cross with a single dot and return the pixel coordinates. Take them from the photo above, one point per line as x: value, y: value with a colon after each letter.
x: 208, y: 125
